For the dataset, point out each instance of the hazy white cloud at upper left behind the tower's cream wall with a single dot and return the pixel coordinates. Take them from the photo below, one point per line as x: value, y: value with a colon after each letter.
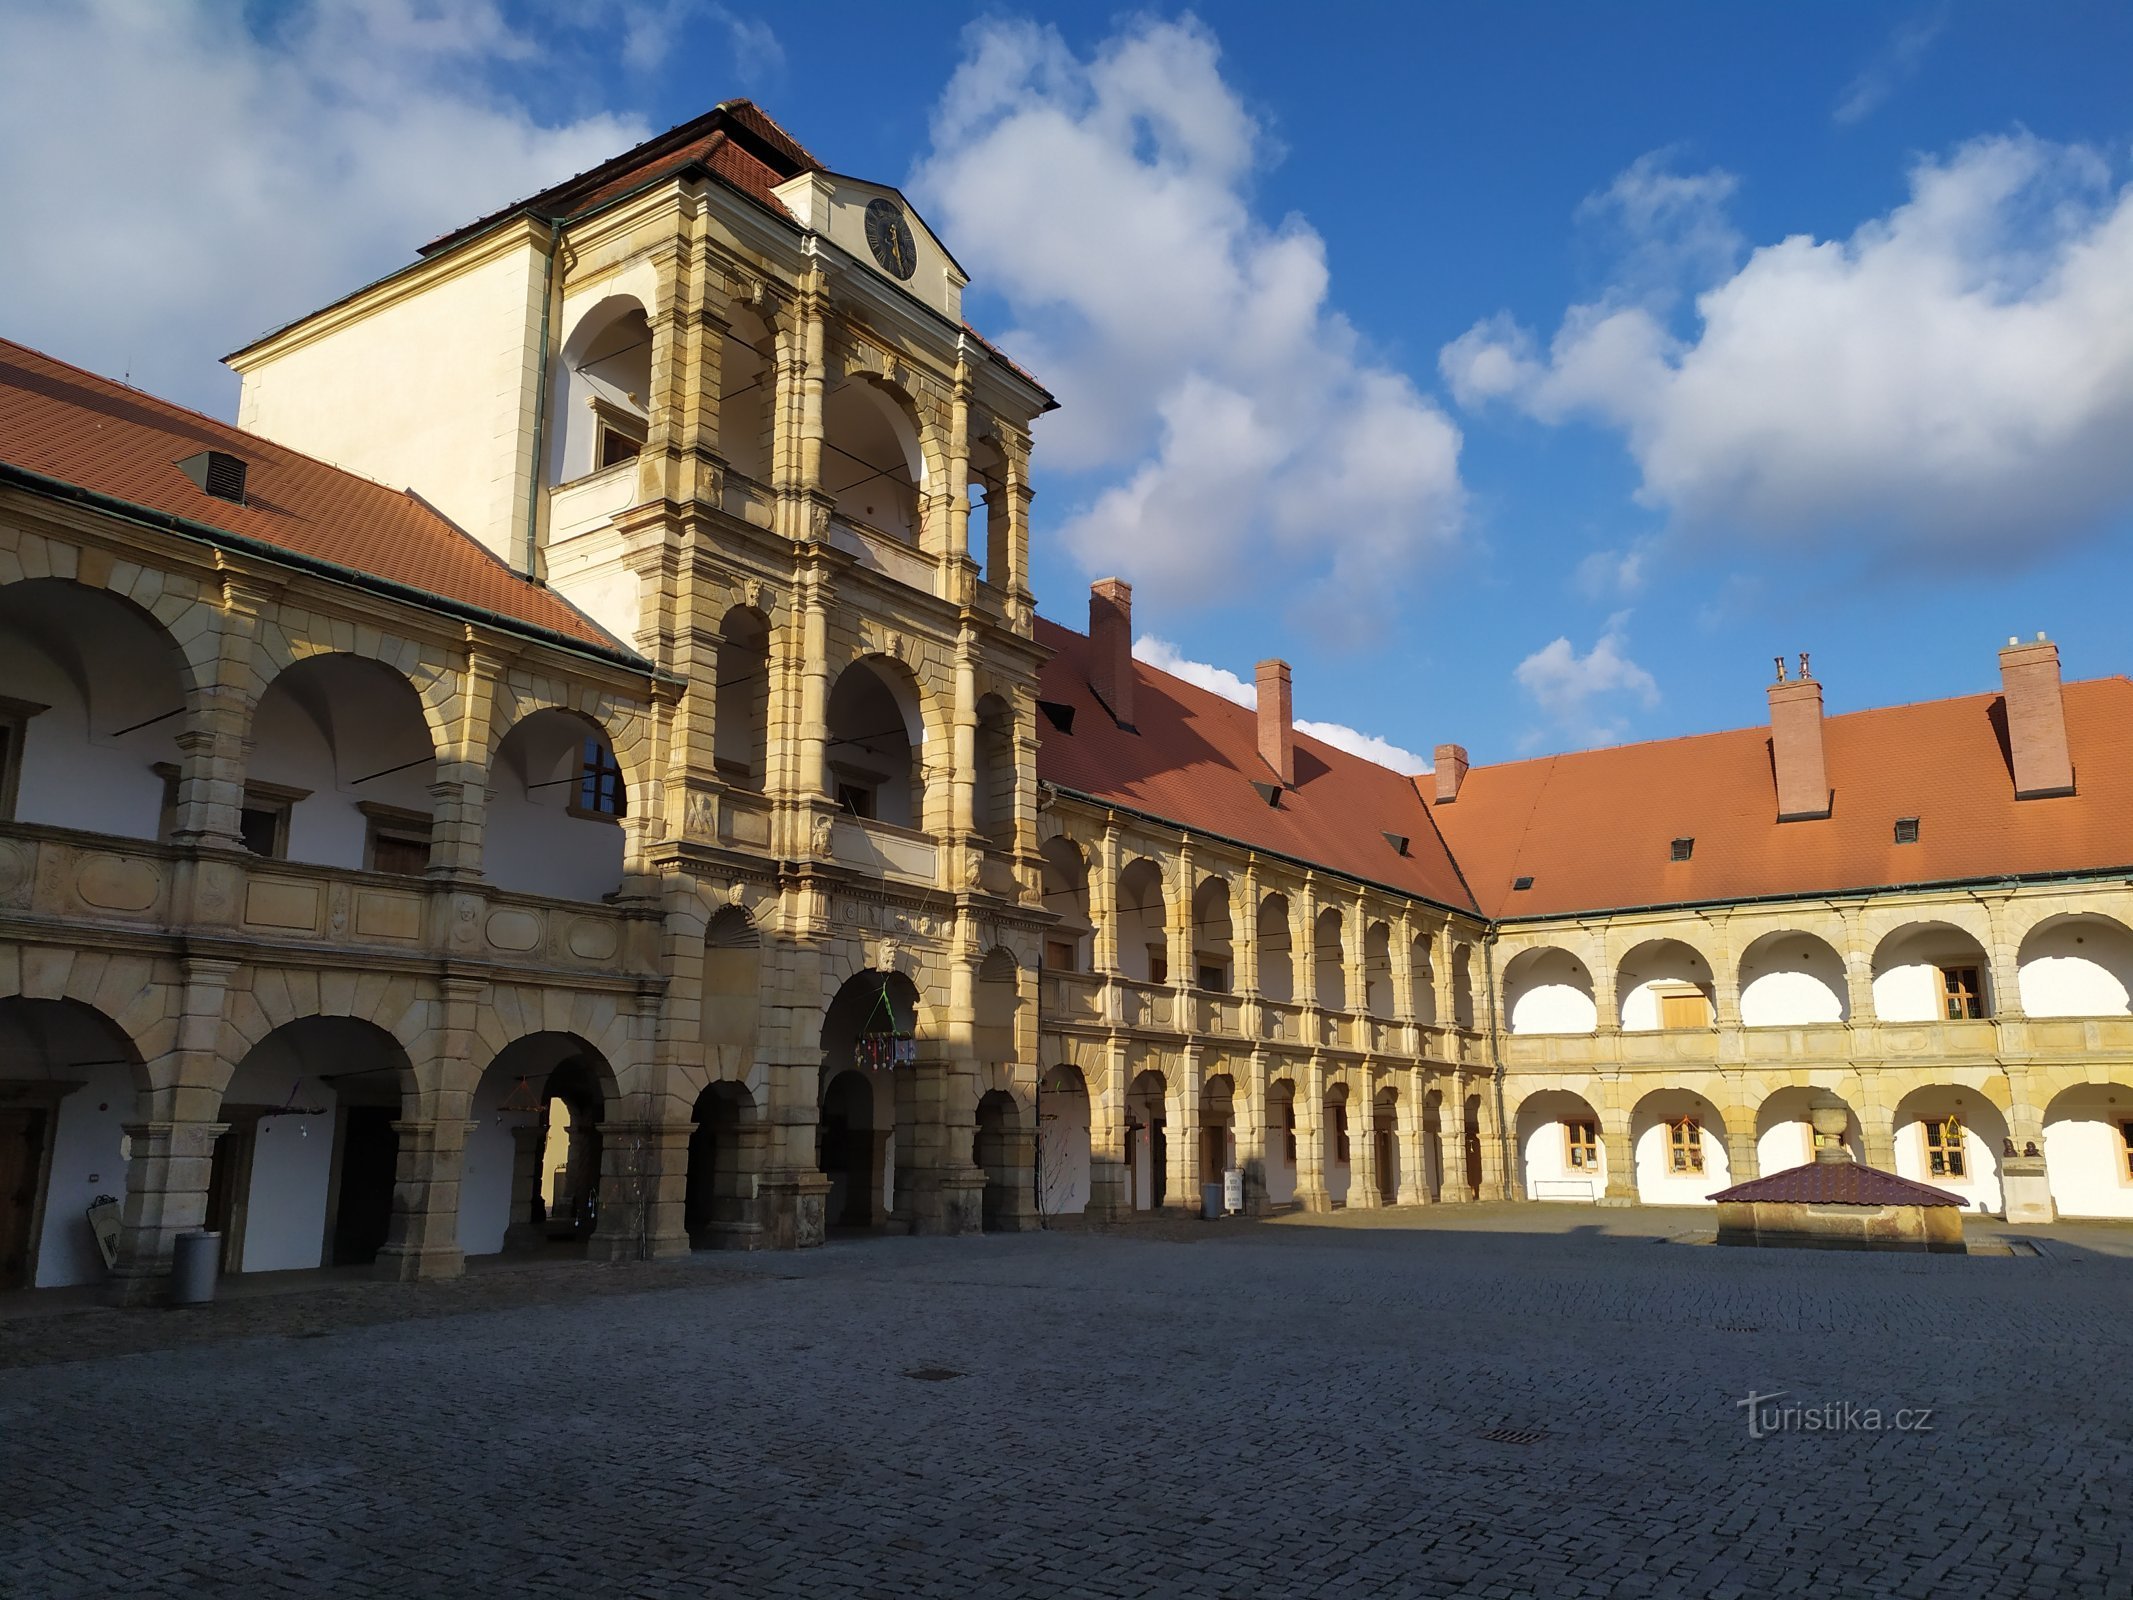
x: 197, y: 174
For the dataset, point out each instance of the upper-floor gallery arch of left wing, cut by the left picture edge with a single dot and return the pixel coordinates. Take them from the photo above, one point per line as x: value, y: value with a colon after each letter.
x: 93, y: 699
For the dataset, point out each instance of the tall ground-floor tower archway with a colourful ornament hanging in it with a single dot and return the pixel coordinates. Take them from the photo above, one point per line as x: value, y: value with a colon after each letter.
x: 871, y: 1034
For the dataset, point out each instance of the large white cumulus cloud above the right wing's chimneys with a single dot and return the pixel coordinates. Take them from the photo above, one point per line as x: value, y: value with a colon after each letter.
x: 1955, y: 377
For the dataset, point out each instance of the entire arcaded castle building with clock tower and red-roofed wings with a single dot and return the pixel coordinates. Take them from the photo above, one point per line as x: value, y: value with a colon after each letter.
x: 583, y: 763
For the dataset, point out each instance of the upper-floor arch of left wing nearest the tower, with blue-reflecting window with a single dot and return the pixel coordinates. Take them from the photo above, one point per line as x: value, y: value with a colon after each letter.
x: 556, y: 807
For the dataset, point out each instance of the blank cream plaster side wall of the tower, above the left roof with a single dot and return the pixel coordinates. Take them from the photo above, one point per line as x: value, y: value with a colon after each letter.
x: 430, y: 394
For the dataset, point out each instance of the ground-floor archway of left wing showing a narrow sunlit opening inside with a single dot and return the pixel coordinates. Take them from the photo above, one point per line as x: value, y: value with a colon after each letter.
x: 536, y: 1157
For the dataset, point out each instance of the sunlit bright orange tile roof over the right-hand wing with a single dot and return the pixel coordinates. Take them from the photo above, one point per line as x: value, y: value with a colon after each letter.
x: 1594, y: 829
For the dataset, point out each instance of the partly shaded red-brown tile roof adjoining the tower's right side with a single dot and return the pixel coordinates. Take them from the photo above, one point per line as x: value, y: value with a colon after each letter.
x: 1193, y: 761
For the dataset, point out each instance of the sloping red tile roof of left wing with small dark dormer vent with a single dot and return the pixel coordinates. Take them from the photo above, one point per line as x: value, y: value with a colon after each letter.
x: 112, y: 441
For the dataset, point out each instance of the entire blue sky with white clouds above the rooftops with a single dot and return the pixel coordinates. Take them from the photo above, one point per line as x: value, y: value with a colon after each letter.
x: 1528, y: 377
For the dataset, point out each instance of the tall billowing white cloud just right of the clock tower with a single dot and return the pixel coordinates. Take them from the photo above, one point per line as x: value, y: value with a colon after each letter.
x: 1191, y: 345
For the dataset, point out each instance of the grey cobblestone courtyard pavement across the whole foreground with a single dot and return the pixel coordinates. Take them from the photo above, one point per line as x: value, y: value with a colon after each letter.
x: 1262, y: 1411
